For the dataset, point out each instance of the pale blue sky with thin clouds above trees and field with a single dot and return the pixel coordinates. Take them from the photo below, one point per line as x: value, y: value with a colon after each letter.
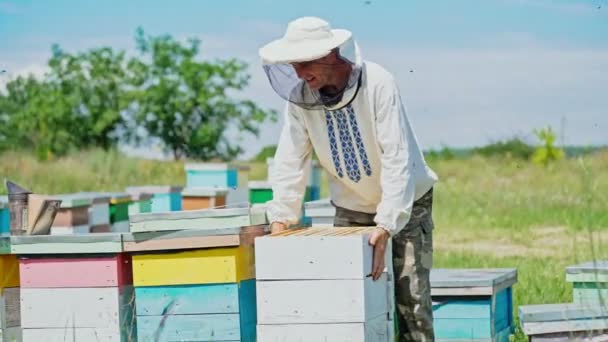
x: 469, y: 72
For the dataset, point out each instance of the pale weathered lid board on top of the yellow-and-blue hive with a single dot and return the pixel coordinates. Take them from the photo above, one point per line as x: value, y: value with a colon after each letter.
x: 197, y: 219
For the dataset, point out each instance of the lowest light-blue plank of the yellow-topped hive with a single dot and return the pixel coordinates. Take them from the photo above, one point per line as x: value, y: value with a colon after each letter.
x: 214, y: 327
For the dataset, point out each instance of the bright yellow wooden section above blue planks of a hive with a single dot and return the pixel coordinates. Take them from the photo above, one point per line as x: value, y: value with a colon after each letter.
x: 205, y: 266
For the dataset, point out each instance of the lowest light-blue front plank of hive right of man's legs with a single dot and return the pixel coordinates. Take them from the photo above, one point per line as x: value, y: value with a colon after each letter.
x: 462, y: 328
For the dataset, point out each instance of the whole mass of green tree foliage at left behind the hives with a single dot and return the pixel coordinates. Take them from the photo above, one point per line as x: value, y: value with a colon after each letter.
x: 97, y: 98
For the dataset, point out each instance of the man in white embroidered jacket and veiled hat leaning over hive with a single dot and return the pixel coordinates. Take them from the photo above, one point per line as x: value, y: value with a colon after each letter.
x: 349, y: 112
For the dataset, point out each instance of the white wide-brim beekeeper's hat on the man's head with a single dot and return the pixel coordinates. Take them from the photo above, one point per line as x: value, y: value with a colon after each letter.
x: 306, y: 39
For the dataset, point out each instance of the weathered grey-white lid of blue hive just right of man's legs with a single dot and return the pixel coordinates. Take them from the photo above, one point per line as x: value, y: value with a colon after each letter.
x: 463, y: 282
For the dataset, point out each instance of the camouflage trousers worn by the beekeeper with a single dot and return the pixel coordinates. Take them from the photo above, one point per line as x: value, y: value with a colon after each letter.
x: 412, y: 262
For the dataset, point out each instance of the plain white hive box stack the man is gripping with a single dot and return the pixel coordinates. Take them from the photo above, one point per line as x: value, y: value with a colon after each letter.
x: 319, y: 288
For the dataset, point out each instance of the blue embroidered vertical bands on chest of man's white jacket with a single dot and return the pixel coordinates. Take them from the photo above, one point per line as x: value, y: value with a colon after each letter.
x: 347, y: 124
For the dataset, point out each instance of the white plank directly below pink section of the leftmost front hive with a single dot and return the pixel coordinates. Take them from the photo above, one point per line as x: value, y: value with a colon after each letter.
x: 76, y: 307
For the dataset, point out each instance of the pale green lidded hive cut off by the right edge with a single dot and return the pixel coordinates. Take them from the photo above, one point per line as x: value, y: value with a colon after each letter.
x: 589, y: 282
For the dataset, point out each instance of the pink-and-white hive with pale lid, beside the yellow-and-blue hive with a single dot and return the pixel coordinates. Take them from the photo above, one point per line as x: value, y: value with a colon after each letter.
x: 77, y: 287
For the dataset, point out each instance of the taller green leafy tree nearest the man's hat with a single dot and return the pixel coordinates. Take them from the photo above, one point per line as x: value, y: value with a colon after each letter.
x: 184, y: 102
